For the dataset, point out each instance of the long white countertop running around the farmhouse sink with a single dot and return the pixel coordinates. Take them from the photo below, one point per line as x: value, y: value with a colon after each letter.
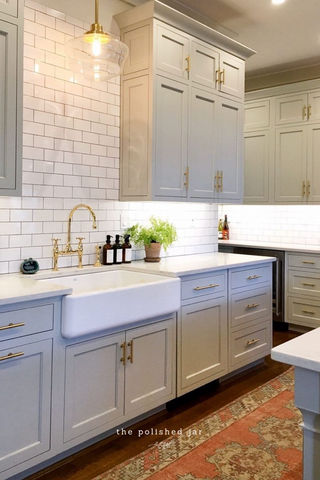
x: 20, y: 288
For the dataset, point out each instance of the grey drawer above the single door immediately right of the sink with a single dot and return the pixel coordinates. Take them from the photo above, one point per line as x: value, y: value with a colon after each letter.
x: 208, y: 285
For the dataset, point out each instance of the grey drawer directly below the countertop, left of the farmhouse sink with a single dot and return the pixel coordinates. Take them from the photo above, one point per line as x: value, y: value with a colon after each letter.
x: 18, y: 323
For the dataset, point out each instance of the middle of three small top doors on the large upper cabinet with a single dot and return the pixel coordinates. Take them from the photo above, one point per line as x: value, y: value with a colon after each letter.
x: 205, y: 65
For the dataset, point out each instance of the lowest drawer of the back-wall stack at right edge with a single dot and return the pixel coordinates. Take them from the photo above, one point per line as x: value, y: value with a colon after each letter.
x: 303, y: 312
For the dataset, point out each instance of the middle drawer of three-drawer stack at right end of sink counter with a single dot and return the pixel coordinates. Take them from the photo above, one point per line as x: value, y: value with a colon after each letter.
x: 250, y: 306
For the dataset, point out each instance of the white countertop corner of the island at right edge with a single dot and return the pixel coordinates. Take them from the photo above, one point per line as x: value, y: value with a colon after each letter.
x: 301, y: 352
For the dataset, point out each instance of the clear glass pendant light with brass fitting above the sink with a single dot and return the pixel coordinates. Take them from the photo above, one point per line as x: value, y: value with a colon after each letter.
x: 96, y: 55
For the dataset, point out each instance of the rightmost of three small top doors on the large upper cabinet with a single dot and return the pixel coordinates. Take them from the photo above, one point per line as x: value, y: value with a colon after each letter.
x: 232, y: 75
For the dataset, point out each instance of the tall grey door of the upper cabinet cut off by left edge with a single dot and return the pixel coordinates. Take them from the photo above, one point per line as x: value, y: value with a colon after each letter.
x: 8, y: 105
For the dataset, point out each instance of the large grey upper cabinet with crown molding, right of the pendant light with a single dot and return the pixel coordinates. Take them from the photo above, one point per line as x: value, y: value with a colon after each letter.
x: 182, y: 109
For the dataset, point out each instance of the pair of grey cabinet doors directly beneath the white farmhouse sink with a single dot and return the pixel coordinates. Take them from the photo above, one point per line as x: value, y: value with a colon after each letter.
x: 116, y: 377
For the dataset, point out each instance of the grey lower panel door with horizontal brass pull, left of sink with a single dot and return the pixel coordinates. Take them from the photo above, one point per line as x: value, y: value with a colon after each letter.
x: 25, y: 399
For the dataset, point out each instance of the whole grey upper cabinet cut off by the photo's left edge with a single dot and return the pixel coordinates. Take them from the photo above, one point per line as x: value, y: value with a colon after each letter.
x: 11, y: 38
